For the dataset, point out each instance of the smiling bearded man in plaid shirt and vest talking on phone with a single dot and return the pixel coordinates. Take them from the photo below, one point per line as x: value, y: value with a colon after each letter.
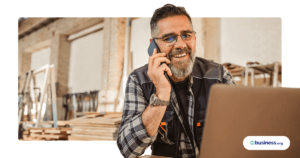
x: 168, y: 116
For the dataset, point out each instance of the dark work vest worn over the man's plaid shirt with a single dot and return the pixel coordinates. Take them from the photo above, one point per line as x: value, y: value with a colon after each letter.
x: 205, y: 73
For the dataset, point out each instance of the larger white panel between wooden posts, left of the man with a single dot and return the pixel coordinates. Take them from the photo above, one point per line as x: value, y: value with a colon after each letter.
x: 86, y: 63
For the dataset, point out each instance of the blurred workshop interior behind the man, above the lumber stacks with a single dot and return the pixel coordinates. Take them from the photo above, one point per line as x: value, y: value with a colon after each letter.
x: 90, y: 58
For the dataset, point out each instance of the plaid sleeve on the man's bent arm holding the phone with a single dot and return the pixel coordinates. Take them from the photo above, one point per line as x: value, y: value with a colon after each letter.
x: 133, y: 138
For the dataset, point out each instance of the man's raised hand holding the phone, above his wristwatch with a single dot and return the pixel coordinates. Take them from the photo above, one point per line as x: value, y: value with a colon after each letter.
x: 156, y: 74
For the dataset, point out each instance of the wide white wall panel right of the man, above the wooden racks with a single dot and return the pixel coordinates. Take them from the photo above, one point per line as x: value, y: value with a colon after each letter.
x: 244, y: 39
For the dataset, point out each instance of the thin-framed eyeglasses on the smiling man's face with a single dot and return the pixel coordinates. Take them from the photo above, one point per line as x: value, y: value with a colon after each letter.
x: 171, y: 40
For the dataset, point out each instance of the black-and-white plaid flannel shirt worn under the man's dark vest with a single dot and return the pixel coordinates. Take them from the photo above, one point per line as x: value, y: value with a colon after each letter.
x: 133, y: 139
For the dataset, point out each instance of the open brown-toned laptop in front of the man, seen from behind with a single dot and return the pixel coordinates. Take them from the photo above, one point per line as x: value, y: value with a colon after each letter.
x: 236, y: 112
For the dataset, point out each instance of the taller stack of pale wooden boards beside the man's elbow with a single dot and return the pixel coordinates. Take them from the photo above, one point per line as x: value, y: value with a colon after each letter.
x: 95, y: 127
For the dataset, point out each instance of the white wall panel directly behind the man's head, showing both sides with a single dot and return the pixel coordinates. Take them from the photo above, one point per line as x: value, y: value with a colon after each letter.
x: 141, y: 34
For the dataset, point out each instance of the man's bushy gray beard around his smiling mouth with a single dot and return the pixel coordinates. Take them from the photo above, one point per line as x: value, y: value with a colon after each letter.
x: 183, y: 68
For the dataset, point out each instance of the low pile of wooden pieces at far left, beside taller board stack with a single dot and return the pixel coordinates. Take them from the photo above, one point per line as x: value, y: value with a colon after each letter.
x: 46, y: 134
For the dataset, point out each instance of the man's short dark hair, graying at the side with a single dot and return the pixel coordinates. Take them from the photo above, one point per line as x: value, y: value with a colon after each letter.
x: 167, y: 10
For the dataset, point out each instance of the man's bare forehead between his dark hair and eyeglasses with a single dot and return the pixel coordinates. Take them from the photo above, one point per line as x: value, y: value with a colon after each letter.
x: 174, y: 24
